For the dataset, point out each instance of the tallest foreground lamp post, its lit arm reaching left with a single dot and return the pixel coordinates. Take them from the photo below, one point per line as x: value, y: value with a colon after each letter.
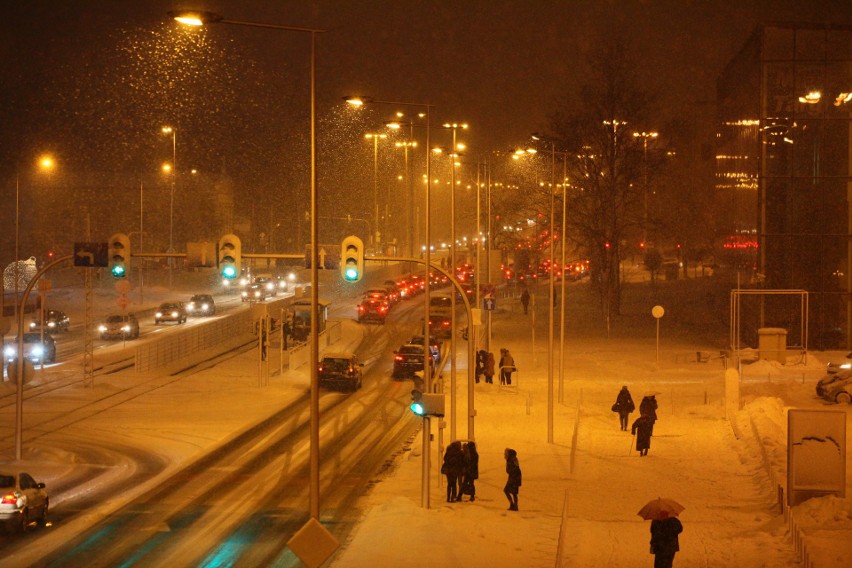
x: 201, y: 18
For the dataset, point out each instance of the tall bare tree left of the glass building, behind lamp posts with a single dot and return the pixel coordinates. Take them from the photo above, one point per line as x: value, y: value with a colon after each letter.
x: 597, y: 126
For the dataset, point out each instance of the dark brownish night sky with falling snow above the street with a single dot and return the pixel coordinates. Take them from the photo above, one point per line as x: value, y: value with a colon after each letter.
x: 92, y: 81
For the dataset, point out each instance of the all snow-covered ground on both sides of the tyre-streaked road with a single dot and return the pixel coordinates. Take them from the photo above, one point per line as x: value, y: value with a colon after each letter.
x: 580, y: 493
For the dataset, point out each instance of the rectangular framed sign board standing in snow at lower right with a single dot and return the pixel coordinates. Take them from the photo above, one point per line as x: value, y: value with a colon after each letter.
x: 816, y: 454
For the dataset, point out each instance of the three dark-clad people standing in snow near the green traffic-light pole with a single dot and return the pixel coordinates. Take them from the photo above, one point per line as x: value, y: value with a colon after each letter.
x: 461, y: 467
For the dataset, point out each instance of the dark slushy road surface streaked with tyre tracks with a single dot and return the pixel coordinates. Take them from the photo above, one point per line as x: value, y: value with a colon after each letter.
x: 240, y: 504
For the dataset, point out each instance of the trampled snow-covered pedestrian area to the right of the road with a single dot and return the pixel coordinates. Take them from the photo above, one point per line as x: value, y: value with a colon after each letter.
x: 581, y: 493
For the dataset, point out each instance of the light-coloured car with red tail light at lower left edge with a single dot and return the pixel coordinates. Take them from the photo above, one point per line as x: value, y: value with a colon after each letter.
x: 22, y: 500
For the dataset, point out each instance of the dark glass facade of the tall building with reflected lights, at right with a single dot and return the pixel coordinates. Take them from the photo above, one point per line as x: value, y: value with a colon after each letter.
x: 783, y: 163
